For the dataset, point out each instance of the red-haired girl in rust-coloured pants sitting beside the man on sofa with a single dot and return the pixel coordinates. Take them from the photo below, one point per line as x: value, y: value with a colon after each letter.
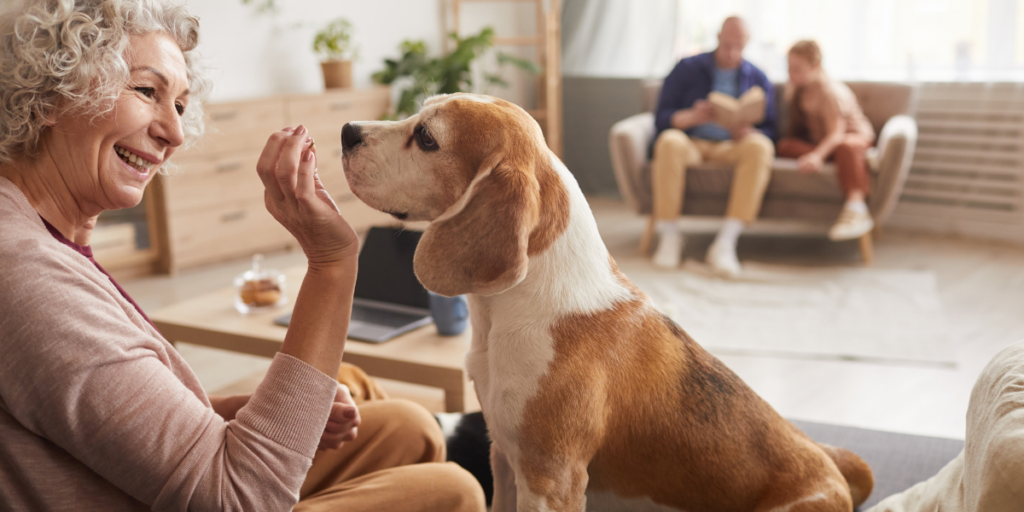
x: 826, y: 122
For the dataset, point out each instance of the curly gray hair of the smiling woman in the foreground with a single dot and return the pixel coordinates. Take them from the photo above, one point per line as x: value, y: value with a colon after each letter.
x: 70, y: 55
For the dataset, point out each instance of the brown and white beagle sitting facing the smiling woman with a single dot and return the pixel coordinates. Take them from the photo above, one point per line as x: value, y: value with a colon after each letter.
x: 594, y: 400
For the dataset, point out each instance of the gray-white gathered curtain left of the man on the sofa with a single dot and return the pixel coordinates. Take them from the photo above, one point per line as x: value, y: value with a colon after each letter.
x: 619, y: 38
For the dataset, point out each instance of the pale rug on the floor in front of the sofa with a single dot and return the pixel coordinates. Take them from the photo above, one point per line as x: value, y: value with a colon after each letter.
x: 857, y: 314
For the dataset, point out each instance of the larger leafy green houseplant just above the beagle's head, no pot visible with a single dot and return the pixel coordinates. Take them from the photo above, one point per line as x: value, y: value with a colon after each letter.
x: 418, y: 76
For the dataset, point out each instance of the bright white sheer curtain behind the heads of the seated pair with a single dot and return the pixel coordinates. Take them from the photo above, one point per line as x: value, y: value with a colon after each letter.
x: 927, y: 40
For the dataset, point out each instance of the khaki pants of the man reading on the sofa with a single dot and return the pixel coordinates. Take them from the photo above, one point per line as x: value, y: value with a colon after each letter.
x: 750, y: 157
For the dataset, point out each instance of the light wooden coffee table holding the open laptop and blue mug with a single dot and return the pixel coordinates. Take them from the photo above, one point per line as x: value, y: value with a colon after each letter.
x: 420, y: 357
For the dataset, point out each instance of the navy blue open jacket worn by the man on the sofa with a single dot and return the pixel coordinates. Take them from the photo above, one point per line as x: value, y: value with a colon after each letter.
x: 694, y: 79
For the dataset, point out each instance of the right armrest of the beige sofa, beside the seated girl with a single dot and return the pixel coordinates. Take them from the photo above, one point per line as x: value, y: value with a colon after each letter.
x: 892, y: 163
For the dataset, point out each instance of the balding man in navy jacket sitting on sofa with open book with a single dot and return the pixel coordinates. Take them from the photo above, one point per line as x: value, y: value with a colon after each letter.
x: 688, y: 136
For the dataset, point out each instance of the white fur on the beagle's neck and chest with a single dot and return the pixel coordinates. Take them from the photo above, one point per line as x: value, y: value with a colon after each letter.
x: 514, y: 343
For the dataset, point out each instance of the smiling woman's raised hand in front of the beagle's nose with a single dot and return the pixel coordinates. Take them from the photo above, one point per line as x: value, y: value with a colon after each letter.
x: 295, y: 197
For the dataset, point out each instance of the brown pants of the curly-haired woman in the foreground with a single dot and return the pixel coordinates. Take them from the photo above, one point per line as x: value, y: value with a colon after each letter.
x: 397, y: 463
